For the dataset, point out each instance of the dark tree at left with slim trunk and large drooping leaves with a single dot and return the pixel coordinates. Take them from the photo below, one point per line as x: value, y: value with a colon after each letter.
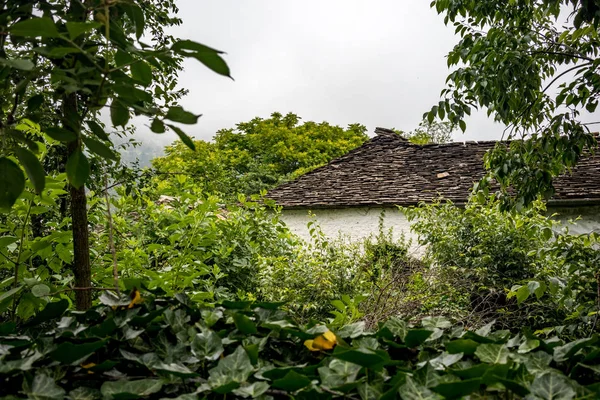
x: 62, y: 63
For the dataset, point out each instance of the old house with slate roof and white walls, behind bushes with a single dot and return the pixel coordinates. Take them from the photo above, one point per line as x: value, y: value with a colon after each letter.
x: 348, y: 195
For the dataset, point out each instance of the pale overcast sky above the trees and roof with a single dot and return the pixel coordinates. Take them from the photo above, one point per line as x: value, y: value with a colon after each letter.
x: 378, y: 63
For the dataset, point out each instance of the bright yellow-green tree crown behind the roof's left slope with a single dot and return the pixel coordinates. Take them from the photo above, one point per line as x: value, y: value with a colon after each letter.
x: 258, y: 154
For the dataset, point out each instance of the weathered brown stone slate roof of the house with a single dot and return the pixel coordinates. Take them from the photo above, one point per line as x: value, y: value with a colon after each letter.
x: 388, y: 170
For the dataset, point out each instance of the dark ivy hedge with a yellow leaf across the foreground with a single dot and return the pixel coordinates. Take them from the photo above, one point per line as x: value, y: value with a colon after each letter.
x: 170, y: 348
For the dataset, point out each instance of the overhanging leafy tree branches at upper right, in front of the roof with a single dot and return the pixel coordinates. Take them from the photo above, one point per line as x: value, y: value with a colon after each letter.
x: 533, y: 66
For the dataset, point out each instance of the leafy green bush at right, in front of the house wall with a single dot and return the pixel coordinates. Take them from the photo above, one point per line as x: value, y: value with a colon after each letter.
x: 488, y: 262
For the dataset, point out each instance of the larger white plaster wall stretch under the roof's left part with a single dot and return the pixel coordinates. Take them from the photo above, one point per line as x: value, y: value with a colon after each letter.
x: 351, y: 223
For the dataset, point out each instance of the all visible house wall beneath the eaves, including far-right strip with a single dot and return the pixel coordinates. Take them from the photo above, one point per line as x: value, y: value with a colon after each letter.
x: 358, y: 223
